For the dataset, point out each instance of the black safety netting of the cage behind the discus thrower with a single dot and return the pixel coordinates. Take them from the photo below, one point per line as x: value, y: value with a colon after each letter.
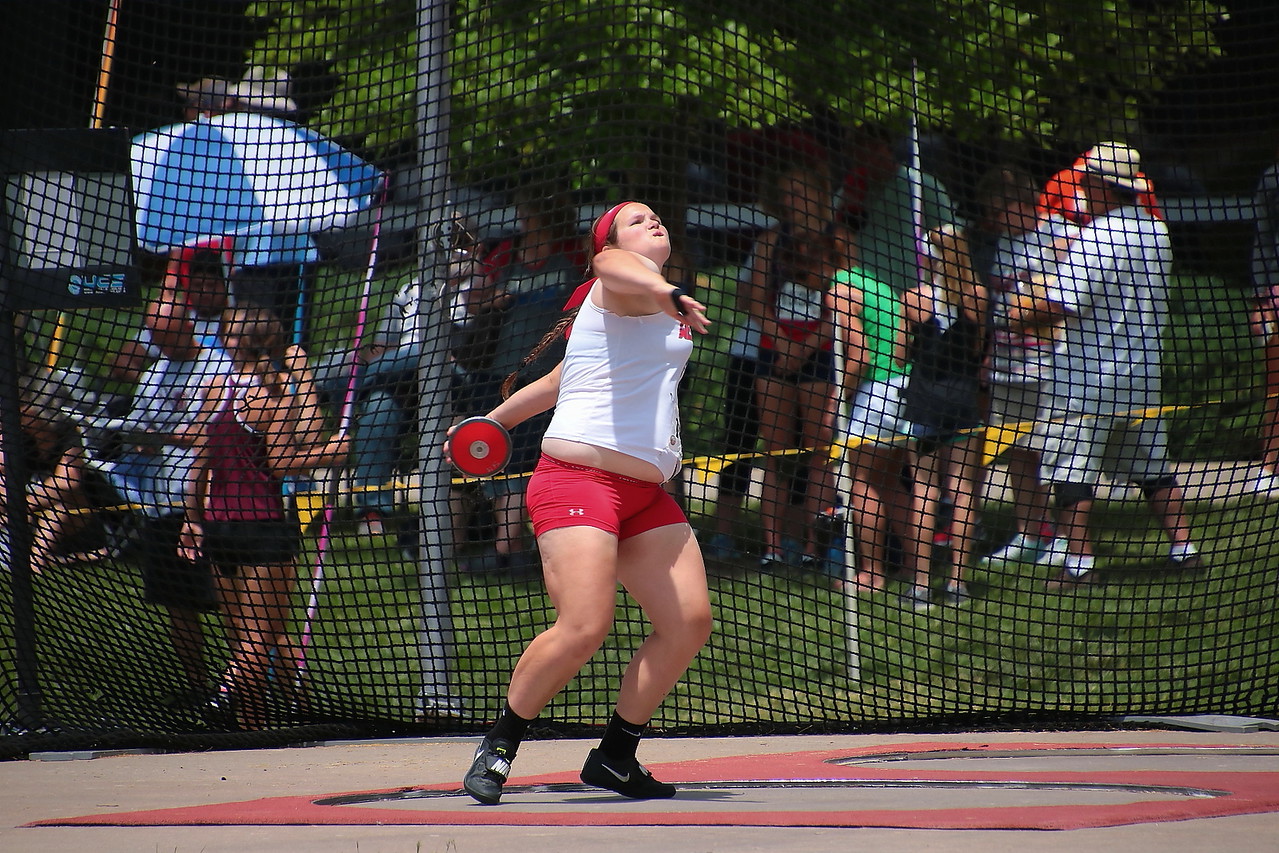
x: 984, y: 432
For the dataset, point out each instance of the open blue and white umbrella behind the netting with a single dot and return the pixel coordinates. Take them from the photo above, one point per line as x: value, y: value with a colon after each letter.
x: 267, y: 182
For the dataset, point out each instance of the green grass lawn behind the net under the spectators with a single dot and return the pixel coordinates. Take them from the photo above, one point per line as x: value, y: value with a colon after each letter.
x: 1144, y: 643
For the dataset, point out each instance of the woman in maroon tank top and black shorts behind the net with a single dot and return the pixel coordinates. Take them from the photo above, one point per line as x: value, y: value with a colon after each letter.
x: 262, y: 423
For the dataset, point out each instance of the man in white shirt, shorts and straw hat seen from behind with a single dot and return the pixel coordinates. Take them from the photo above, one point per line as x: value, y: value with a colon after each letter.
x: 1110, y: 293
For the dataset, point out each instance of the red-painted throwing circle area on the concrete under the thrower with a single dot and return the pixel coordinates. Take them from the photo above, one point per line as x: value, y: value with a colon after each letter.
x: 924, y: 786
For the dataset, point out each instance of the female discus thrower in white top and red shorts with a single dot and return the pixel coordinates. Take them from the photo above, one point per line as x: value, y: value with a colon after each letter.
x: 599, y: 510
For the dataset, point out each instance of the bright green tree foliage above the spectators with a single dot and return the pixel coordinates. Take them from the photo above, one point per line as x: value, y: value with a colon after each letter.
x: 548, y: 81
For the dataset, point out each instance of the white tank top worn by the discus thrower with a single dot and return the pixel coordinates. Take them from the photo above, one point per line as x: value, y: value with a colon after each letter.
x: 620, y: 386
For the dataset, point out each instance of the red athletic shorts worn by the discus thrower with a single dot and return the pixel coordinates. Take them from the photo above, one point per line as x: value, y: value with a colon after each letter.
x: 562, y: 494
